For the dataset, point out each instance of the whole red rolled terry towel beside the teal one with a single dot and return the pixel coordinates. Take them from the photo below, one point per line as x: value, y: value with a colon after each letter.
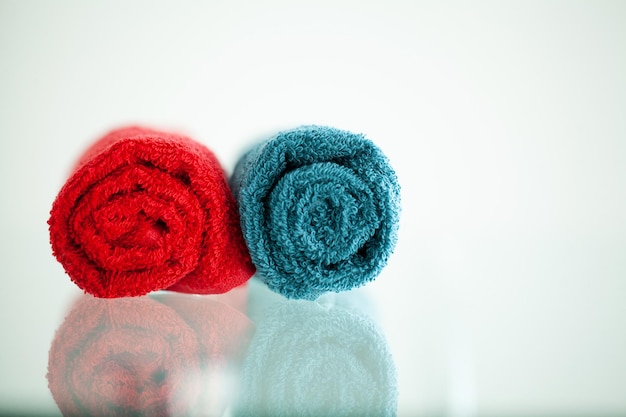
x: 146, y: 210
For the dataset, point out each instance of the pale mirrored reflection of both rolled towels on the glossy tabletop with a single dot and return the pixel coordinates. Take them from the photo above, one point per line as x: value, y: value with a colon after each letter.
x: 245, y: 353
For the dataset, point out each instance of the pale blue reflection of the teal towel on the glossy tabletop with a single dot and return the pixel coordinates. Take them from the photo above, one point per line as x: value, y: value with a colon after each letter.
x: 307, y: 359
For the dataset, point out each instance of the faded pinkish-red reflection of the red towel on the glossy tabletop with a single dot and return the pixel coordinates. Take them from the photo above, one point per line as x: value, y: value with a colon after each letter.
x: 139, y: 356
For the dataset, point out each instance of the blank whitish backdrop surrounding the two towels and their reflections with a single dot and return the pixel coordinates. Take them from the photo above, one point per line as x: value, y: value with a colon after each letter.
x: 505, y: 121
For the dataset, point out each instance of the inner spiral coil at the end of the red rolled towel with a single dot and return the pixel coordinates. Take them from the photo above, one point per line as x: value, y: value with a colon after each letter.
x: 139, y: 217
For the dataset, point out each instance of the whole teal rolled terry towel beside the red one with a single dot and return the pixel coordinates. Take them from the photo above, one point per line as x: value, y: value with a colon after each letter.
x: 319, y: 210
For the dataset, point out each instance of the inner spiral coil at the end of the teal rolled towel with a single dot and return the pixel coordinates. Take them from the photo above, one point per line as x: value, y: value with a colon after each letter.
x: 322, y: 211
